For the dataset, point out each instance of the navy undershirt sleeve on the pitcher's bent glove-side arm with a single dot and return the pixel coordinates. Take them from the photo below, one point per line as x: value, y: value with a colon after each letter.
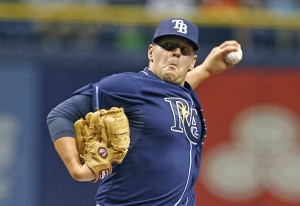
x: 62, y: 118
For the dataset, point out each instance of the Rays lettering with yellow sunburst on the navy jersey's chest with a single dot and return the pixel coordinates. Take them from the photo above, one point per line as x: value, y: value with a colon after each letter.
x: 186, y: 119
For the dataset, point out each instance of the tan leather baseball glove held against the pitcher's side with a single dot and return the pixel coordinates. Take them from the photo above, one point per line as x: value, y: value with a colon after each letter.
x: 102, y: 138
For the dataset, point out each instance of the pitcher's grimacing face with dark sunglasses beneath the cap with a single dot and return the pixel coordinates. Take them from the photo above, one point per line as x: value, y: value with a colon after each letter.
x: 171, y: 58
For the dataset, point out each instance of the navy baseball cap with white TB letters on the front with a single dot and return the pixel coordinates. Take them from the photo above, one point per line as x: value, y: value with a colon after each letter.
x: 177, y: 27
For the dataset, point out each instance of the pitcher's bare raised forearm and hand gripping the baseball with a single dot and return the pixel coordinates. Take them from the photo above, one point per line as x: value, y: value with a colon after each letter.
x: 213, y: 64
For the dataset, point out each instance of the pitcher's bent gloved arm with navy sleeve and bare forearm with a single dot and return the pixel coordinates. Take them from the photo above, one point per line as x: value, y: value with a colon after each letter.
x: 60, y: 123
